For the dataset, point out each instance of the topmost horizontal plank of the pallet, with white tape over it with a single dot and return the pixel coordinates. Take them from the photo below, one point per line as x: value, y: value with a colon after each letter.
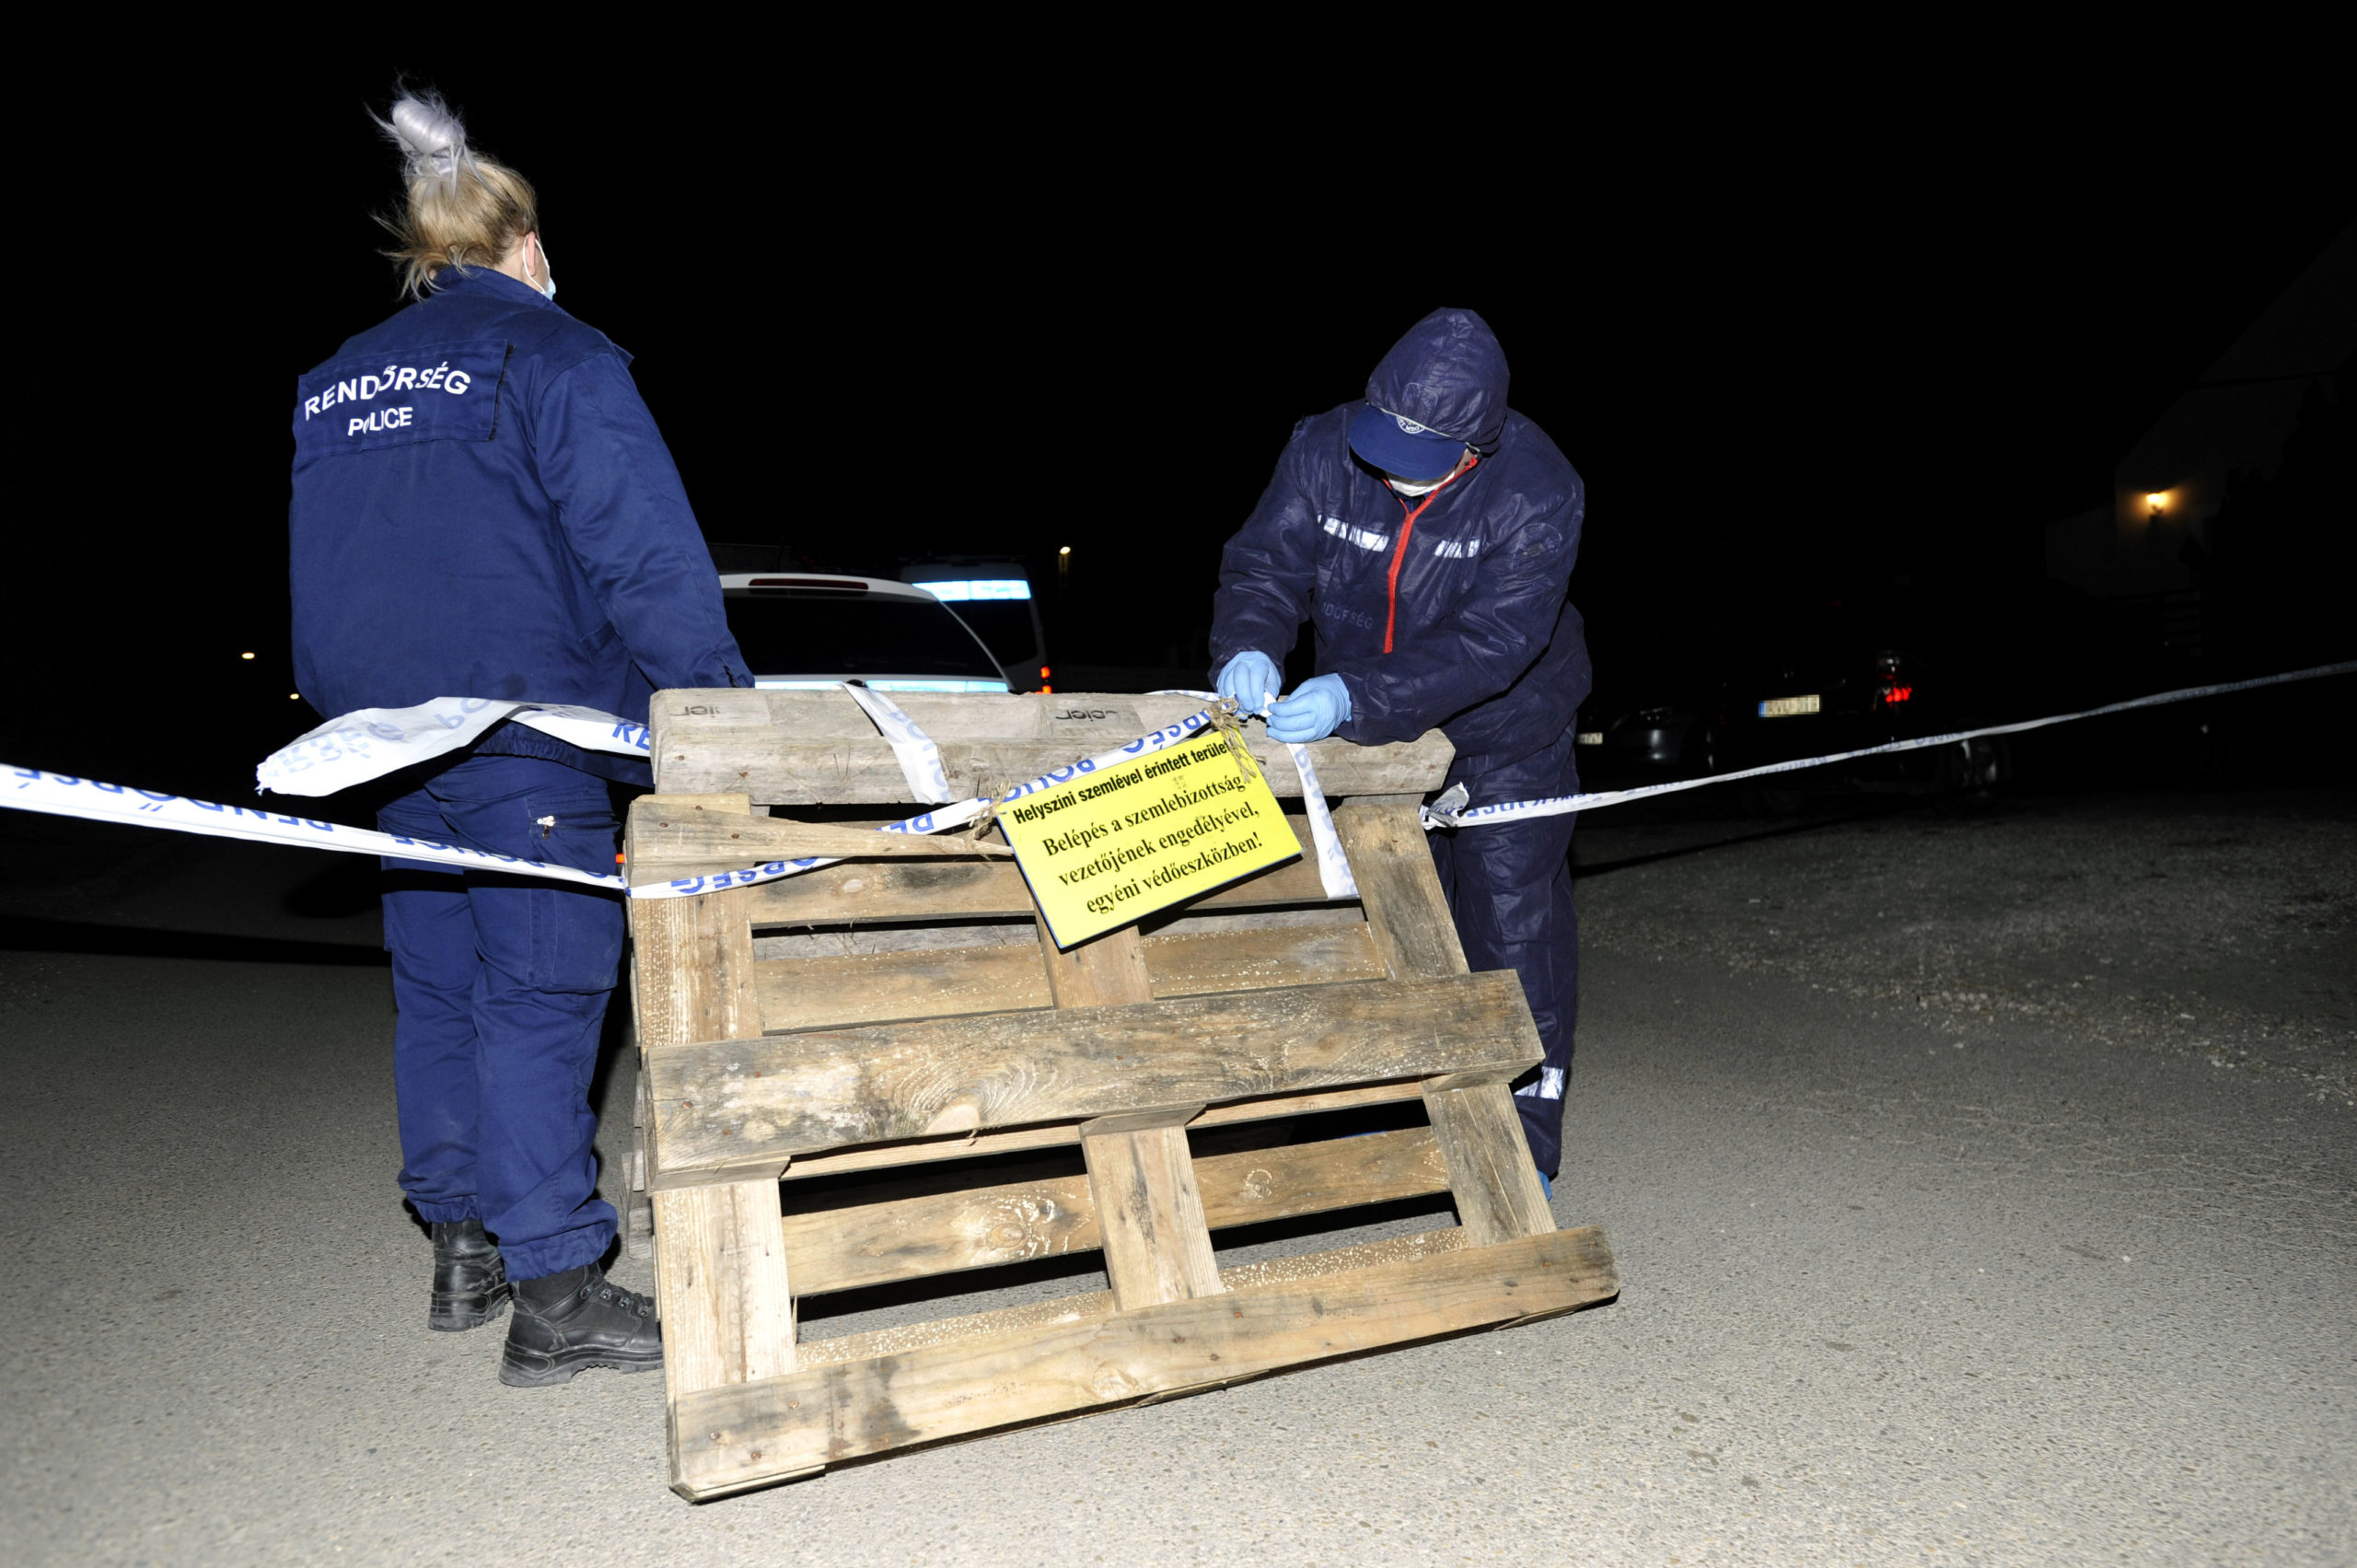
x: 817, y: 746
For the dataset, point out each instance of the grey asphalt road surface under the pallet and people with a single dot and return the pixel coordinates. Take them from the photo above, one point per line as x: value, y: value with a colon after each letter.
x: 1981, y: 1187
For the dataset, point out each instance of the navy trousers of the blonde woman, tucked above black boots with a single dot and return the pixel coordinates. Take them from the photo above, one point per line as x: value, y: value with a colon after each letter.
x: 503, y: 989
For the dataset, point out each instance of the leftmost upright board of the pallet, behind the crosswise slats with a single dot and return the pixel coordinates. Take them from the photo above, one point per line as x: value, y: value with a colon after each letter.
x: 722, y: 1289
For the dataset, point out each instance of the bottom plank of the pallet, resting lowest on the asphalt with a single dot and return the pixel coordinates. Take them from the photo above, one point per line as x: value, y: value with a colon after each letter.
x: 887, y: 1404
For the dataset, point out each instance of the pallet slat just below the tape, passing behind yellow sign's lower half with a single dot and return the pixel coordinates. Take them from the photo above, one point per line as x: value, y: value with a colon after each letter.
x: 956, y: 890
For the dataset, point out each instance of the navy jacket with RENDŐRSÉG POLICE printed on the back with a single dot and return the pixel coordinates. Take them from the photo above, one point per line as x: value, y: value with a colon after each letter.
x: 484, y: 508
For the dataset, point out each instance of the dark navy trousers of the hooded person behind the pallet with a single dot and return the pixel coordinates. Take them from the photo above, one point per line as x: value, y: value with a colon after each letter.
x: 1512, y: 897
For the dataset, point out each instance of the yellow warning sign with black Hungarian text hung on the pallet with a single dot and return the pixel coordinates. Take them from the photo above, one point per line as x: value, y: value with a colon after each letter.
x: 1128, y: 841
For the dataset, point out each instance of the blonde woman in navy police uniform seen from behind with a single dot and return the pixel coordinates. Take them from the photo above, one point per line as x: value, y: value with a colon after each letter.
x: 484, y: 510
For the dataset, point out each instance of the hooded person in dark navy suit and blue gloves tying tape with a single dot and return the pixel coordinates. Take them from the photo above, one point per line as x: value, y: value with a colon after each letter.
x: 1427, y: 536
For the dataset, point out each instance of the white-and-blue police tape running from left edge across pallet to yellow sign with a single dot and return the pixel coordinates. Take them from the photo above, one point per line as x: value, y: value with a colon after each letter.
x: 107, y: 803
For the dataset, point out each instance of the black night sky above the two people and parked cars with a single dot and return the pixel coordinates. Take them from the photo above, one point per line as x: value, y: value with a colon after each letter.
x: 1785, y: 353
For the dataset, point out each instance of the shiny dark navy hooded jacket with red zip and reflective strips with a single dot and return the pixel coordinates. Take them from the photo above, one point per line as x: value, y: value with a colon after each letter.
x: 1458, y: 621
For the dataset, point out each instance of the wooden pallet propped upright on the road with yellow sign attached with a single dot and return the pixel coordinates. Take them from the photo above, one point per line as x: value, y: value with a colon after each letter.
x: 909, y: 1017
